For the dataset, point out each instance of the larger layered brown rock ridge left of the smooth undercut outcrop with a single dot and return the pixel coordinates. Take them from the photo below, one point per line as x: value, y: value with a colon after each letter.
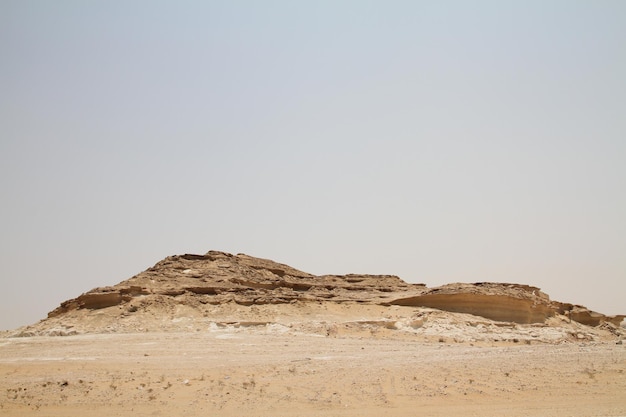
x: 218, y: 278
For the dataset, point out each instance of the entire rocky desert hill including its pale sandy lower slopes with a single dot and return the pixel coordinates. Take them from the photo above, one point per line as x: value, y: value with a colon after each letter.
x: 220, y: 290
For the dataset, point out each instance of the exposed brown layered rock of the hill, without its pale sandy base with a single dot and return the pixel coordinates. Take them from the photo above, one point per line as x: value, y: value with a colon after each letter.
x: 217, y: 278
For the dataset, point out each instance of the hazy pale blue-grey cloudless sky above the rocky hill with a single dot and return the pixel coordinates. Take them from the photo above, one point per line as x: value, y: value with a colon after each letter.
x: 440, y: 141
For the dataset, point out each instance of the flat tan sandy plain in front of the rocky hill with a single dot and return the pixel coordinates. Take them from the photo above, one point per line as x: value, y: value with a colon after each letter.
x: 267, y: 371
